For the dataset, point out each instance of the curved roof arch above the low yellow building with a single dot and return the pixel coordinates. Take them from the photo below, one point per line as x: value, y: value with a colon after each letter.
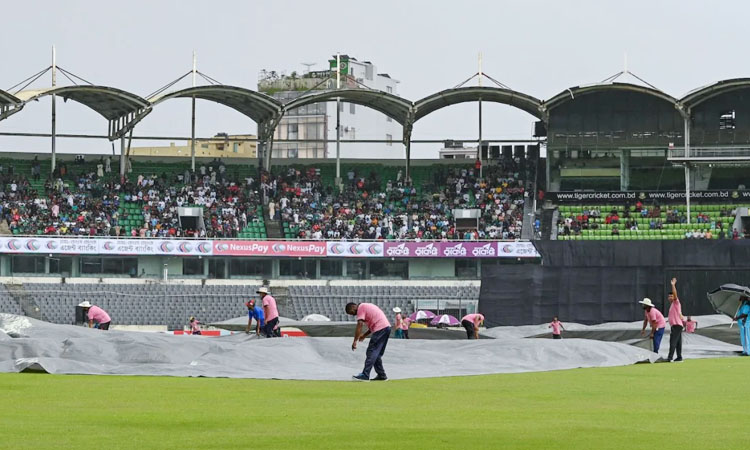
x: 258, y: 107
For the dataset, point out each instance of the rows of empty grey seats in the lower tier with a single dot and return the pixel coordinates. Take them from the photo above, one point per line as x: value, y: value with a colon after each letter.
x: 172, y: 304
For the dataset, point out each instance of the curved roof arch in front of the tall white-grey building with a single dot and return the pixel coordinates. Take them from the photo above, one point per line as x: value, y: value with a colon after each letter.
x: 391, y: 105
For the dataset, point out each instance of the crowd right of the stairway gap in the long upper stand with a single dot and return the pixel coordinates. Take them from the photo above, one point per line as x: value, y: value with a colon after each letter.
x: 363, y: 209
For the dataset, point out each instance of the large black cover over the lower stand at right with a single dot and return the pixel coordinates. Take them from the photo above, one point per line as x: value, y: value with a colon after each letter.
x: 602, y: 281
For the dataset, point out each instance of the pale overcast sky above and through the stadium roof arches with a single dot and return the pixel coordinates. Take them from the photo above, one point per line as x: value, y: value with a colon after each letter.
x: 536, y: 47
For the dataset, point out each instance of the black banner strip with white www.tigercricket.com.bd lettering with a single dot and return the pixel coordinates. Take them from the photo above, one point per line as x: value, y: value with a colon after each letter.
x: 663, y: 197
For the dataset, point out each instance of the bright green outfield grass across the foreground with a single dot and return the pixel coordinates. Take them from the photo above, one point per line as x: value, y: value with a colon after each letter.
x: 696, y: 404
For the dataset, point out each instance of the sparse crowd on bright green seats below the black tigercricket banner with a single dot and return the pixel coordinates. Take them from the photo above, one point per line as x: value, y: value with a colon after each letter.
x: 589, y: 219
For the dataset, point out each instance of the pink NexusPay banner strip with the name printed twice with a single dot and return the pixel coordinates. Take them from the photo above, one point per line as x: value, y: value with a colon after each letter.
x: 270, y: 248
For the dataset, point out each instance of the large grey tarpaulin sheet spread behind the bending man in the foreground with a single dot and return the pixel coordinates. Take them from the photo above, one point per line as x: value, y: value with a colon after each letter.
x: 66, y: 349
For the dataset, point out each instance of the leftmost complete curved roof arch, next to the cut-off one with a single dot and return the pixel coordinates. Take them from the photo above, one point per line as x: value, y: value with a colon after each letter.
x: 111, y: 103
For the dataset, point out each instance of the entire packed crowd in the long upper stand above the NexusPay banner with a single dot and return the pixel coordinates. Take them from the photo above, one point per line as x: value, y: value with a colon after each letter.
x: 86, y: 201
